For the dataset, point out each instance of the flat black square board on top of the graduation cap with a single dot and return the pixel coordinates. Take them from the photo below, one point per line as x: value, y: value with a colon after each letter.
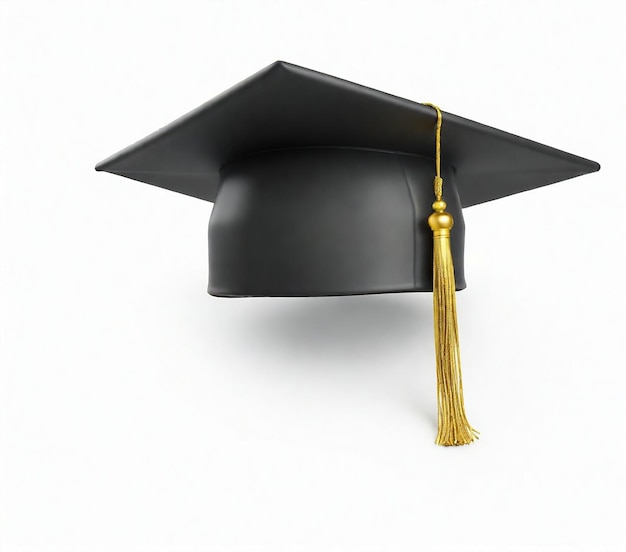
x: 285, y: 106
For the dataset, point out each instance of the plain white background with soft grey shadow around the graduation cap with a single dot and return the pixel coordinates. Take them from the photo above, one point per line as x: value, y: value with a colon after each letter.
x: 140, y: 414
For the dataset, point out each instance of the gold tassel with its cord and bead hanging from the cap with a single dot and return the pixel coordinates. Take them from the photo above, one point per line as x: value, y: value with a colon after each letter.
x: 454, y: 429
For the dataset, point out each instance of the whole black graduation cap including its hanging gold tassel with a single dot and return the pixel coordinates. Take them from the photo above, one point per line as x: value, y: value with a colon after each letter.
x: 325, y: 187
